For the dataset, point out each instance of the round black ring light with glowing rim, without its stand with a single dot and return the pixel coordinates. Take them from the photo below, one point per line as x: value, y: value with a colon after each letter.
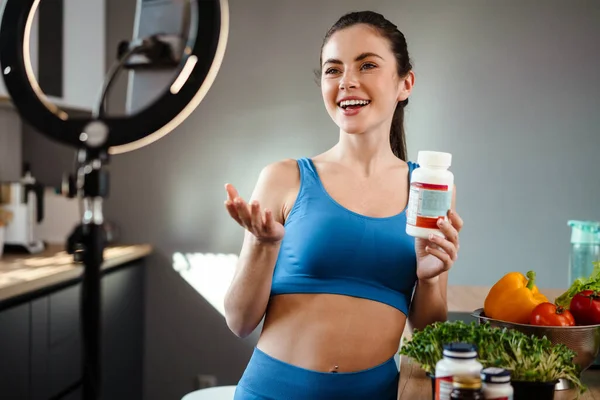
x: 203, y: 54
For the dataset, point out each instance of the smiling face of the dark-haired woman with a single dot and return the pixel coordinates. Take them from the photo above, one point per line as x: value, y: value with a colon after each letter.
x: 359, y: 65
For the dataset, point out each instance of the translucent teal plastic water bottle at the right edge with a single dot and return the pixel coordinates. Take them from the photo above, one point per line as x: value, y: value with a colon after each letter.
x: 585, y: 248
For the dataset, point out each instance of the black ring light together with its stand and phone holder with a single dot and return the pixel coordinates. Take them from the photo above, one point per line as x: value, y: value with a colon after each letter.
x: 198, y: 59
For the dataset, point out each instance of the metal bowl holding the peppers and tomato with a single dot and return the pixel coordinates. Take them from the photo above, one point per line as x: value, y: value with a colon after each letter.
x: 583, y: 340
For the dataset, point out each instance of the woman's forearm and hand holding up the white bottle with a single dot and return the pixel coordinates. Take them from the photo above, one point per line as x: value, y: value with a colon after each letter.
x: 435, y: 257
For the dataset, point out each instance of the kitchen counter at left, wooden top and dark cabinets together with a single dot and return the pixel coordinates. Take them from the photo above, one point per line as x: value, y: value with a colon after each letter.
x: 41, y: 321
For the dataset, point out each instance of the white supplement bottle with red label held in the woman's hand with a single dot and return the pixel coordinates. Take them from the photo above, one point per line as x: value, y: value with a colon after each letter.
x: 430, y: 198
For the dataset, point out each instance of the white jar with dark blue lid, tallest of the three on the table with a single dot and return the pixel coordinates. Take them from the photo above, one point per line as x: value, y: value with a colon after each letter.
x: 460, y: 359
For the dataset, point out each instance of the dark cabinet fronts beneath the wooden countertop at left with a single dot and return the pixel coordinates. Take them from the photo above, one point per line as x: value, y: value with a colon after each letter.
x: 40, y: 341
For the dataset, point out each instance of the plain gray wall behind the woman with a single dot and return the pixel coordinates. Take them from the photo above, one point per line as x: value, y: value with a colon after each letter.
x: 510, y: 88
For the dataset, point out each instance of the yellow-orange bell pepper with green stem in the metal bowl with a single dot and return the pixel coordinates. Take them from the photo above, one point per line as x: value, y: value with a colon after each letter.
x: 513, y: 298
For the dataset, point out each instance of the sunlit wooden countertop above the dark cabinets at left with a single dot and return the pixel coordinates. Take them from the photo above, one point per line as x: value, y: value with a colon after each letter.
x: 21, y: 274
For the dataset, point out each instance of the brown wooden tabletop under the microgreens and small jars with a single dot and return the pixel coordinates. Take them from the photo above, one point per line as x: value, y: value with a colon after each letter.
x: 415, y: 385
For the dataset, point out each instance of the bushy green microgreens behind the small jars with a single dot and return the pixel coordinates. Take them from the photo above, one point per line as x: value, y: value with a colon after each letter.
x: 529, y: 358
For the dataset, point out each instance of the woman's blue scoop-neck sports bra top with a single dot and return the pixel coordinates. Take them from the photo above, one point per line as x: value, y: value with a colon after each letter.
x: 330, y: 249
